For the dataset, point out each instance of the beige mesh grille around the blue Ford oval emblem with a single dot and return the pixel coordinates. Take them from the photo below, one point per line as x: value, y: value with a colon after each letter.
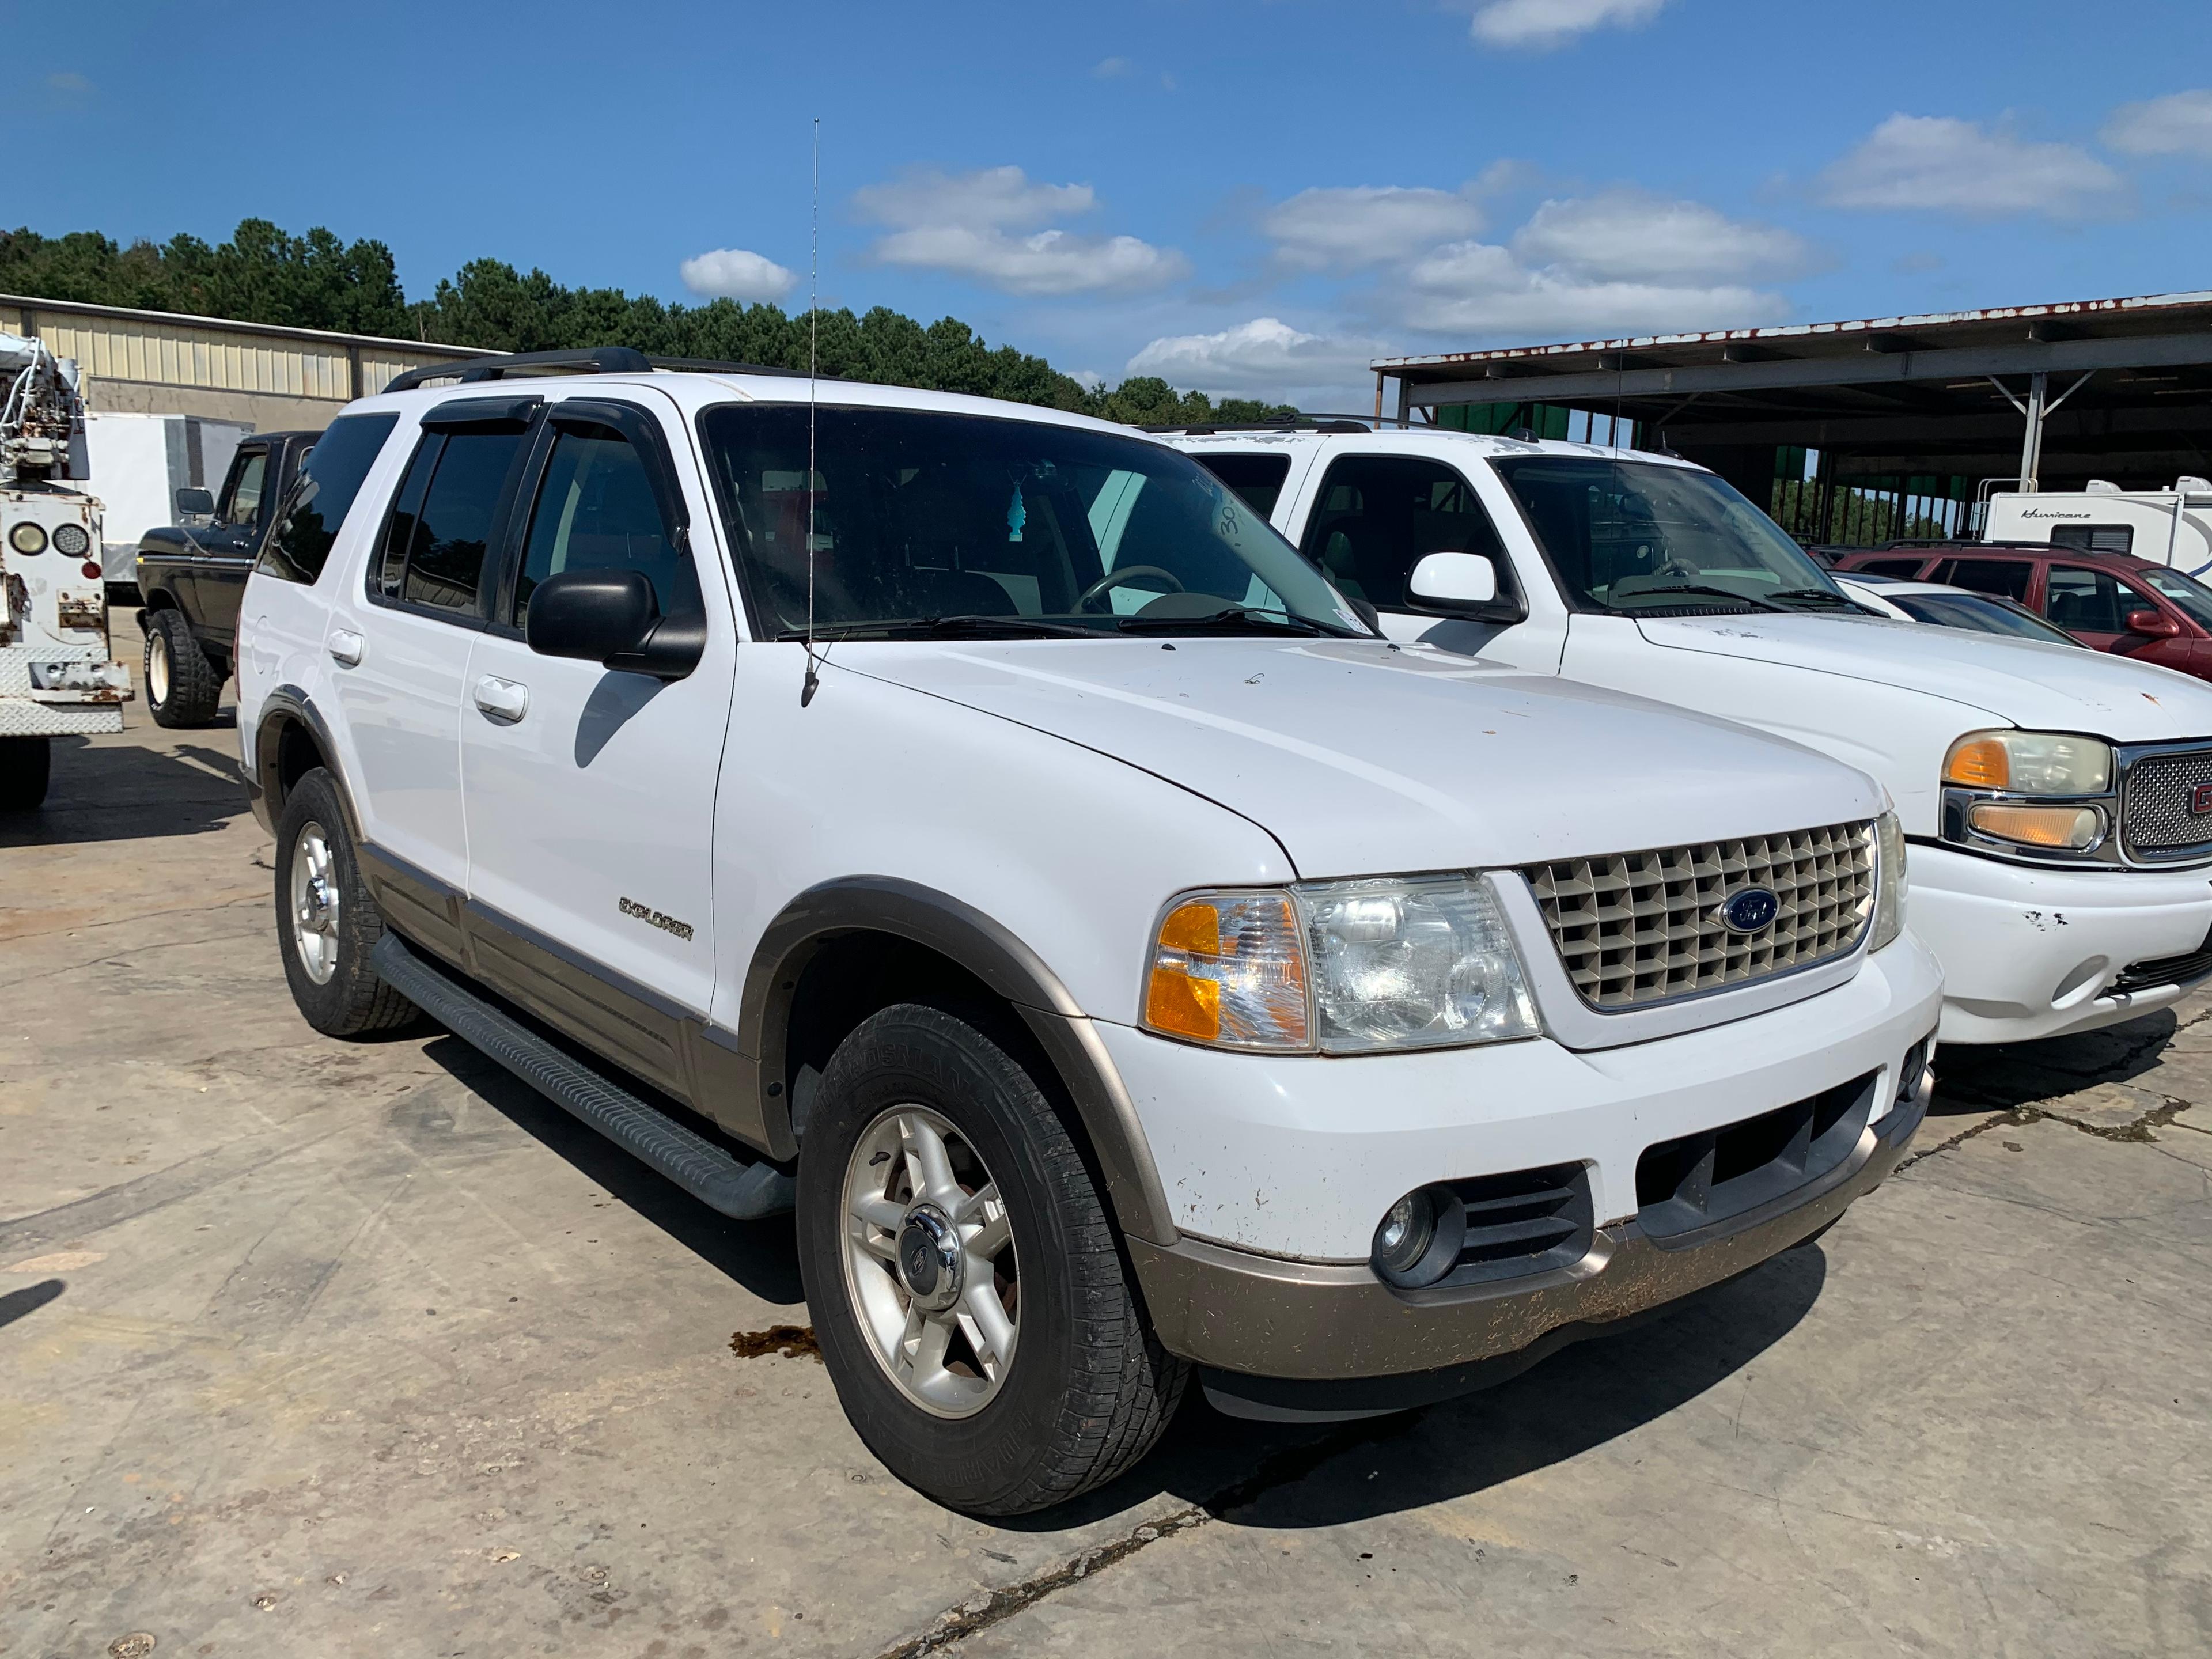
x: 1642, y: 928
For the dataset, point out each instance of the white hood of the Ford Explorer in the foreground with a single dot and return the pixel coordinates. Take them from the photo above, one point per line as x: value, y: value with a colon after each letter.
x: 1370, y: 760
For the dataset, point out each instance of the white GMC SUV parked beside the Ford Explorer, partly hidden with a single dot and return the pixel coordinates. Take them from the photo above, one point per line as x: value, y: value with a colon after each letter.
x: 2058, y: 800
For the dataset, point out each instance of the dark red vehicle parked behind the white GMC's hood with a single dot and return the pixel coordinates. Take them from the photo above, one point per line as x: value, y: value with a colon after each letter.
x: 2107, y: 601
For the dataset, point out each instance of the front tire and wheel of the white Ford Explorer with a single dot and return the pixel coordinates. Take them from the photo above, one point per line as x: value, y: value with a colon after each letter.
x: 1089, y: 1390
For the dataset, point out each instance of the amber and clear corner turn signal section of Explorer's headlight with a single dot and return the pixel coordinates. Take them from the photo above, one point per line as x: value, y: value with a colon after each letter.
x: 1231, y: 970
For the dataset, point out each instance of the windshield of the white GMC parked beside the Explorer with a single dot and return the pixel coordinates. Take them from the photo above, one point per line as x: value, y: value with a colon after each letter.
x: 1636, y: 536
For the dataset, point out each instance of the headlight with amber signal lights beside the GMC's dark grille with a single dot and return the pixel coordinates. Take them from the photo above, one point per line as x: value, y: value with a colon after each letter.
x: 2001, y: 789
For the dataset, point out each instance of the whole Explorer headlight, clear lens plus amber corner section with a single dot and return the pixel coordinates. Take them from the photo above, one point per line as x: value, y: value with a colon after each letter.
x: 1339, y: 968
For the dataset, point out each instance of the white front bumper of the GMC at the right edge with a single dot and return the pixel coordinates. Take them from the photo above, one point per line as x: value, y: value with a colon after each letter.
x: 2032, y: 952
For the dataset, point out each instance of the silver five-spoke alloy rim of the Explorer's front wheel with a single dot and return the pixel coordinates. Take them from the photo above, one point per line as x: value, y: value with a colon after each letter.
x: 930, y: 1262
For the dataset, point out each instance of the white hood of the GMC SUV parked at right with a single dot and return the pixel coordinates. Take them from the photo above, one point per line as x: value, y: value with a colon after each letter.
x: 2016, y: 682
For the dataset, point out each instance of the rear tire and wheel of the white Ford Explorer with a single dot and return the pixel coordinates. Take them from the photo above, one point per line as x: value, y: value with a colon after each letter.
x: 333, y: 981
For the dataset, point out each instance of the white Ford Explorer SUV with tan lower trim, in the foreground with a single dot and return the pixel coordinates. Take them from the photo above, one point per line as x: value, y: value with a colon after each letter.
x: 1127, y: 963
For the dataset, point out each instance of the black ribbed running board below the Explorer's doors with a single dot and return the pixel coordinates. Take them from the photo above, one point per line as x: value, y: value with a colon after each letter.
x: 707, y: 1171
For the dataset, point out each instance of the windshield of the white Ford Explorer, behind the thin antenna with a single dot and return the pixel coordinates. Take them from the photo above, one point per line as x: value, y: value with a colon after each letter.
x: 974, y: 525
